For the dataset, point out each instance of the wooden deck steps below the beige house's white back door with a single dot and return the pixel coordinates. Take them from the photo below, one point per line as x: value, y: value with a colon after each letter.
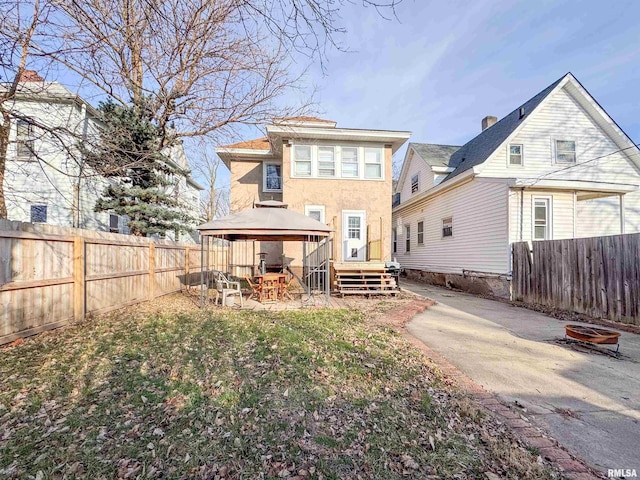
x: 363, y: 278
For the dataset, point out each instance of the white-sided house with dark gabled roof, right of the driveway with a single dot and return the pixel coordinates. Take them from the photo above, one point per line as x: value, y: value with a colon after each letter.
x: 556, y: 167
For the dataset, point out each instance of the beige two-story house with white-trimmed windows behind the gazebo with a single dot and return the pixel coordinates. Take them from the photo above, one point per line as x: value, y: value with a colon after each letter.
x: 340, y: 176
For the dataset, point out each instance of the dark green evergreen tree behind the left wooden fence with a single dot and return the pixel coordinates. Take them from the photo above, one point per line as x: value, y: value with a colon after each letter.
x: 129, y: 151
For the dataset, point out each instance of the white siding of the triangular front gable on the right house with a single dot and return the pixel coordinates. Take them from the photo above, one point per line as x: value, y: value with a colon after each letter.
x: 563, y: 118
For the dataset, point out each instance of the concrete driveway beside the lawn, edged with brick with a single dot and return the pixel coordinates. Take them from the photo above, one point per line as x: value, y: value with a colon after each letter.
x: 588, y: 401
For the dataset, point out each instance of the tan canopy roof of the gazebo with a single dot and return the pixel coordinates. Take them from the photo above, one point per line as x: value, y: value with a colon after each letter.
x: 266, y: 223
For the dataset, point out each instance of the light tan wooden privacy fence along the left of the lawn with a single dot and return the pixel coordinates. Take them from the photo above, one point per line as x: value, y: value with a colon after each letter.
x: 50, y: 275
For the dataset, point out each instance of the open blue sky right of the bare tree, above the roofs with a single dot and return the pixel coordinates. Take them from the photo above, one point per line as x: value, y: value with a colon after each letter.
x: 444, y: 65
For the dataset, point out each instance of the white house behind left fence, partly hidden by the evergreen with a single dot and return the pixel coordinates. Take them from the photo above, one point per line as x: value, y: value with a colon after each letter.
x: 46, y: 180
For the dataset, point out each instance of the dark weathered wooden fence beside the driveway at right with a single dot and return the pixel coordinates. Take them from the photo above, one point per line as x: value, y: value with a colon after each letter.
x: 597, y: 276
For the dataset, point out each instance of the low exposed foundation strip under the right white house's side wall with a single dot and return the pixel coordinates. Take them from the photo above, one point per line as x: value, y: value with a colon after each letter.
x: 496, y: 286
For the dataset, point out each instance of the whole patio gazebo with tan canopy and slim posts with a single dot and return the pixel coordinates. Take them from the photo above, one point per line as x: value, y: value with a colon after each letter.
x: 268, y: 221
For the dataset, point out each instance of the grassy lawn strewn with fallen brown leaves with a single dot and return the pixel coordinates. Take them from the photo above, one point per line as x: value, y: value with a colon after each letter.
x: 167, y: 390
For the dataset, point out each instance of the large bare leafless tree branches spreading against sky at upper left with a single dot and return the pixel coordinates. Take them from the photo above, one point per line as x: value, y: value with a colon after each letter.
x: 201, y: 67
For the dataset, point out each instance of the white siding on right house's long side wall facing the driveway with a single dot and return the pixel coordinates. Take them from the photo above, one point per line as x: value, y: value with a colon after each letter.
x: 480, y: 241
